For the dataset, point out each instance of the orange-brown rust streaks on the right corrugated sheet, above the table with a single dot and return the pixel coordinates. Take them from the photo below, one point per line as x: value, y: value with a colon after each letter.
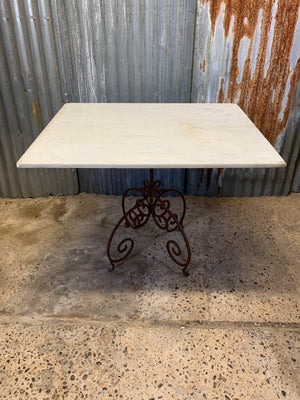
x: 261, y: 94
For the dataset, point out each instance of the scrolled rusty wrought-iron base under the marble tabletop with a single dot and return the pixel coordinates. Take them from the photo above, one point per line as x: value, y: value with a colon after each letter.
x: 152, y: 204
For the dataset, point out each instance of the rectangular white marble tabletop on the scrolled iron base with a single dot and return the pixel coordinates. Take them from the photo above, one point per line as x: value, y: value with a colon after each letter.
x: 108, y: 135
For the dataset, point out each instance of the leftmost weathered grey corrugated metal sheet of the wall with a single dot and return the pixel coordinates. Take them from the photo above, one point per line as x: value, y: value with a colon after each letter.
x: 30, y: 94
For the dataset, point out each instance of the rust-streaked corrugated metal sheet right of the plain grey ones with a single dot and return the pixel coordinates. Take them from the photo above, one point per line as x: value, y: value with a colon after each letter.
x: 248, y: 53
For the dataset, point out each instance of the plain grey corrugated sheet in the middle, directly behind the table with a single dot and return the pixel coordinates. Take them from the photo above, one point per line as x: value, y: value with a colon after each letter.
x: 131, y: 51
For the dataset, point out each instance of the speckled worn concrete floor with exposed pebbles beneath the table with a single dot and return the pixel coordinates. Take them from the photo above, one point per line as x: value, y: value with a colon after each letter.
x: 72, y: 330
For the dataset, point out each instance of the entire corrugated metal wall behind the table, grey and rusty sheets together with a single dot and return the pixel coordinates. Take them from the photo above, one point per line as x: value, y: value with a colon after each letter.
x: 56, y: 51
